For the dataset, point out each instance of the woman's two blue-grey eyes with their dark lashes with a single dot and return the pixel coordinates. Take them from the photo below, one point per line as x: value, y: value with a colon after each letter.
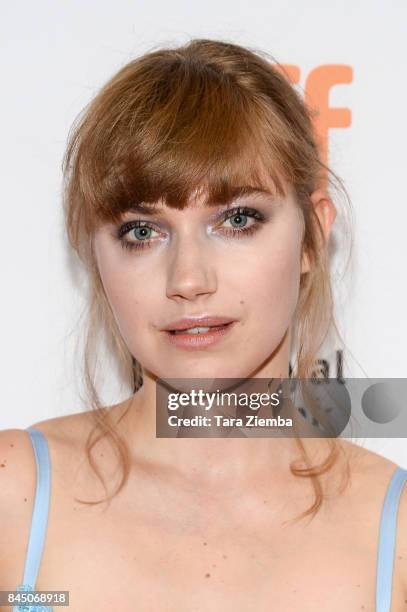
x: 141, y: 230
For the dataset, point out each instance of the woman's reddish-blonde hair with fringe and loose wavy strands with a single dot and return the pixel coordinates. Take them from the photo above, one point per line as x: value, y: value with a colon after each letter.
x: 208, y: 115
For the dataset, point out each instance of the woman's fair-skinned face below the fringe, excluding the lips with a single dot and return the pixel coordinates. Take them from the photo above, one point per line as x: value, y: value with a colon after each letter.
x: 197, y: 261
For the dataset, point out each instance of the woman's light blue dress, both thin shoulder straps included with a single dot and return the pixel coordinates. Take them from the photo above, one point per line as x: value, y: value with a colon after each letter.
x: 385, y: 556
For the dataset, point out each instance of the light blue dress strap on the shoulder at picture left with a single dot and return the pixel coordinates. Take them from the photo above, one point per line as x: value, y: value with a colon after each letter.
x: 39, y: 519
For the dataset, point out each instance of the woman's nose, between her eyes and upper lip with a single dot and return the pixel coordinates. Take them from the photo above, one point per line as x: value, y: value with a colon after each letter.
x: 190, y: 271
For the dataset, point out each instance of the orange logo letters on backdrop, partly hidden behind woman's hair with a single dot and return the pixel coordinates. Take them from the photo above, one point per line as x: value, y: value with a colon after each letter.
x: 318, y: 85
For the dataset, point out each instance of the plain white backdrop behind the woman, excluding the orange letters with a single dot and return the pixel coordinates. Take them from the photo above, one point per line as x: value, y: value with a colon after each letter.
x: 55, y: 57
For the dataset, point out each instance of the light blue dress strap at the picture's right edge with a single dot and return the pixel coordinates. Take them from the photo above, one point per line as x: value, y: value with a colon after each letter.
x: 387, y: 540
